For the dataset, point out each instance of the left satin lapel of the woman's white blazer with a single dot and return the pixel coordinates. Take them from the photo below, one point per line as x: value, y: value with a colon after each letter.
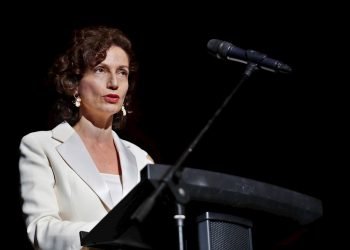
x: 74, y: 152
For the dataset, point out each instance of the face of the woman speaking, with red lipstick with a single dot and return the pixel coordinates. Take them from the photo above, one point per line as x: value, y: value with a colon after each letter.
x: 103, y: 89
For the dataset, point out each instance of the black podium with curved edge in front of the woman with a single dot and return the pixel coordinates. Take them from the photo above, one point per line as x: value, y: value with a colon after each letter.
x: 224, y: 212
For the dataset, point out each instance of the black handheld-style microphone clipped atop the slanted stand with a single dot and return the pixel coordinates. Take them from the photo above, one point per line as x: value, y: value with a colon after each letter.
x: 226, y: 50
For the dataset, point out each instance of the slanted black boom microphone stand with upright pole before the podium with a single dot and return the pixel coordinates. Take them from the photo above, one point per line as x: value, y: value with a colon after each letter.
x: 171, y: 177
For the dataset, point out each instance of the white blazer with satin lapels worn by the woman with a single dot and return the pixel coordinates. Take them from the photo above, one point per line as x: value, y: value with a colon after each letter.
x: 62, y: 190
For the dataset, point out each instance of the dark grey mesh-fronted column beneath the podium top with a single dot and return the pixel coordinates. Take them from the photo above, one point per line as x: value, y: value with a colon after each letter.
x: 218, y: 231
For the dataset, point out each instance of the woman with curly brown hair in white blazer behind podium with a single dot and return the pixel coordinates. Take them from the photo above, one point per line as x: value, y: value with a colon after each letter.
x: 74, y: 174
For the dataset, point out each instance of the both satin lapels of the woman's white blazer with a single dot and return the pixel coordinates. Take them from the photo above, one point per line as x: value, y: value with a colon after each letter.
x: 74, y: 152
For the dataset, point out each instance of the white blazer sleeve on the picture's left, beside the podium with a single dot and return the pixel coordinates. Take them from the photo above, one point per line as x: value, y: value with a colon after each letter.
x: 45, y: 228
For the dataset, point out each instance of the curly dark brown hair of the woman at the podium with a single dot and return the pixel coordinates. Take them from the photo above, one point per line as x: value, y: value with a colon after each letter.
x: 88, y: 49
